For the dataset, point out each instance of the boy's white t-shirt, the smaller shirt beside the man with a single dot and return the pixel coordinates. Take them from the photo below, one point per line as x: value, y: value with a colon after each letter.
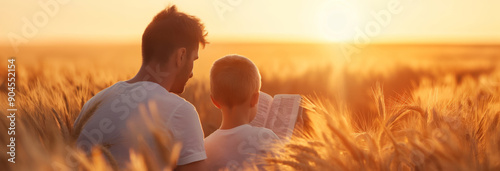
x: 234, y: 148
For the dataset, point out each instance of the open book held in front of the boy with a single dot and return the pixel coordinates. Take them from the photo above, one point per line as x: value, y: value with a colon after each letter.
x: 279, y: 114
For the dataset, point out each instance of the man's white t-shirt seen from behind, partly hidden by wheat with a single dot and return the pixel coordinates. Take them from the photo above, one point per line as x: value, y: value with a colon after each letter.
x: 117, y: 122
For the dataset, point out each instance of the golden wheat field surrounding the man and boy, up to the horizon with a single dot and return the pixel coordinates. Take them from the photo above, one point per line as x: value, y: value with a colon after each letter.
x: 392, y: 107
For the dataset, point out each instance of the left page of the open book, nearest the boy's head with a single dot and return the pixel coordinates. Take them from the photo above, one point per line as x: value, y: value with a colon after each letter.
x: 263, y: 107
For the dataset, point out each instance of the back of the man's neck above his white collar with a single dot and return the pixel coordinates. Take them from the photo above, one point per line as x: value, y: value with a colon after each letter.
x: 162, y: 78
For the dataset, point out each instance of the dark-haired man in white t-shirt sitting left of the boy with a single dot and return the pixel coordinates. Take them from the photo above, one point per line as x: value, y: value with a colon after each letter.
x: 169, y: 48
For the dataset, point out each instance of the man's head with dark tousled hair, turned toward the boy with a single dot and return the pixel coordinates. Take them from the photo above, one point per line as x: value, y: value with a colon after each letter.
x: 172, y: 39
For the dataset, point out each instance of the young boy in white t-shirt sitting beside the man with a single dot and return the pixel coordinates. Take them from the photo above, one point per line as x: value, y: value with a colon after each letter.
x: 235, y: 84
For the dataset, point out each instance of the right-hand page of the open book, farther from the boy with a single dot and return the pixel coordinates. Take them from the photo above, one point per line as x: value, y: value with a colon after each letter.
x: 285, y: 109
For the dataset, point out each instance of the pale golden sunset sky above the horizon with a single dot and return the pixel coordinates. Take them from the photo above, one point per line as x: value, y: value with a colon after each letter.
x: 358, y: 21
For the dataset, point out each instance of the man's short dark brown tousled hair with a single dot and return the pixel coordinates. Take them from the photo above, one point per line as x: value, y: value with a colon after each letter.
x: 170, y: 30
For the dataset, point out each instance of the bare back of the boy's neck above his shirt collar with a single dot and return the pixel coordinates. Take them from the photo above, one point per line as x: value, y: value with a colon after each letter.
x: 236, y: 116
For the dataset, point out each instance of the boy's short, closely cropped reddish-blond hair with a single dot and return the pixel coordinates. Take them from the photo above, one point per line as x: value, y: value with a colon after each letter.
x: 233, y: 80
